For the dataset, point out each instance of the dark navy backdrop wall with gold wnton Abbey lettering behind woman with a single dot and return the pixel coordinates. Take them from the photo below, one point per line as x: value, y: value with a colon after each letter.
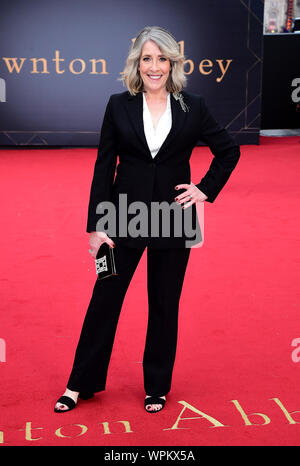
x: 60, y: 62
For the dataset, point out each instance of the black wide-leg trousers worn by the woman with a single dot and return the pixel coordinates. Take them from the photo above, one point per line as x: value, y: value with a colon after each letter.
x: 165, y: 275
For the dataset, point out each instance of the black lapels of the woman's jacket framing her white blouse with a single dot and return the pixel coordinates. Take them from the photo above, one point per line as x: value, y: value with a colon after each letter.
x: 134, y: 107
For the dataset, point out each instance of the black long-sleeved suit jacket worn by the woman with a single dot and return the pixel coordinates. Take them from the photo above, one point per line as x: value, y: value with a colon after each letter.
x: 140, y: 177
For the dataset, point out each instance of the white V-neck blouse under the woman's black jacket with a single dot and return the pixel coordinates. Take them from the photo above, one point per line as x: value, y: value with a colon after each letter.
x: 156, y: 136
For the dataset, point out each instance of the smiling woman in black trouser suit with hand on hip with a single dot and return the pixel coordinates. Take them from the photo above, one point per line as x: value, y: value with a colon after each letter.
x: 153, y: 128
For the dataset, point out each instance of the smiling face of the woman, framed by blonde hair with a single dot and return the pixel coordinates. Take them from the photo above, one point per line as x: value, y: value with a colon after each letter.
x: 154, y: 67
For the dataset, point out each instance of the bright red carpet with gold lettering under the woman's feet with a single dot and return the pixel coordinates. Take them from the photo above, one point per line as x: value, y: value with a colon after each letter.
x: 238, y: 318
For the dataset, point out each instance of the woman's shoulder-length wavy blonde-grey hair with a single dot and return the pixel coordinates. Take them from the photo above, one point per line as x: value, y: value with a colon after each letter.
x: 168, y: 45
